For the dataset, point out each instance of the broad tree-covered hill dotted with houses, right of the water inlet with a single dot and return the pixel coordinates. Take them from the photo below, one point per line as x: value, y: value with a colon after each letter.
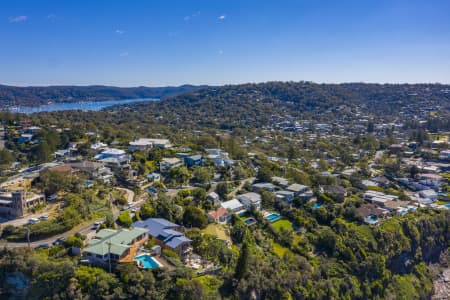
x: 255, y: 104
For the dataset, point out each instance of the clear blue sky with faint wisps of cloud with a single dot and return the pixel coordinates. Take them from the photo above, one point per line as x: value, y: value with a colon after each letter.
x: 167, y: 42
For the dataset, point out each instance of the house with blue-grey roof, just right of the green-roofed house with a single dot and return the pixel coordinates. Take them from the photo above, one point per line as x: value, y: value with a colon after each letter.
x: 166, y: 234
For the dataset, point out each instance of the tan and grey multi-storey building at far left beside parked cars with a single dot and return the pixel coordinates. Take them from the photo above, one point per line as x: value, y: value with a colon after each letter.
x: 17, y: 203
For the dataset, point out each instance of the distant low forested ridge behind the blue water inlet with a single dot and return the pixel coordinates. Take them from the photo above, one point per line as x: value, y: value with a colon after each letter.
x: 33, y: 96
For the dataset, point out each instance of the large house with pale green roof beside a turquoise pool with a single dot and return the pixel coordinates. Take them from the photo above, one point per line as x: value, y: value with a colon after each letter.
x: 115, y: 245
